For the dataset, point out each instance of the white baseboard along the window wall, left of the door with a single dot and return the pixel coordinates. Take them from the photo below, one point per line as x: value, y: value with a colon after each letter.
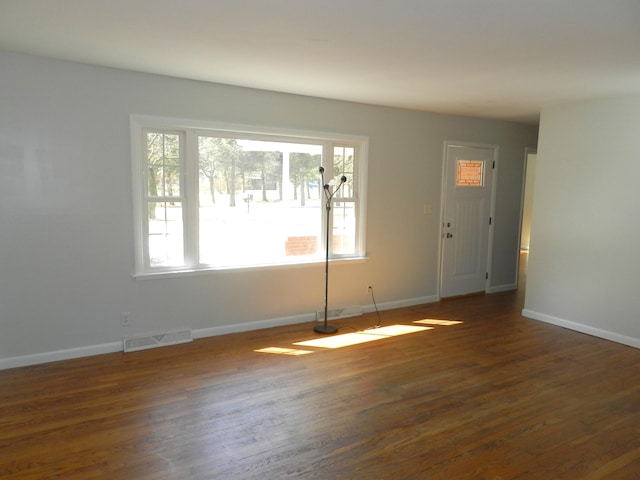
x: 46, y: 357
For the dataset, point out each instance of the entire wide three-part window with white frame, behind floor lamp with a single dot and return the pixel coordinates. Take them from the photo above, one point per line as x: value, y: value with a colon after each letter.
x: 215, y: 197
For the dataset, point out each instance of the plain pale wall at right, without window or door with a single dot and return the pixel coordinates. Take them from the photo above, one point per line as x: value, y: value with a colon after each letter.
x: 584, y: 265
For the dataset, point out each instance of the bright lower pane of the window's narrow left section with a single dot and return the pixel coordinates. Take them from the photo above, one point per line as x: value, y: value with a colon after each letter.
x: 165, y: 234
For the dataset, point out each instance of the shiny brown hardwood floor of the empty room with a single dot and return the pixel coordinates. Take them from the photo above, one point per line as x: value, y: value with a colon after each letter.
x: 497, y: 396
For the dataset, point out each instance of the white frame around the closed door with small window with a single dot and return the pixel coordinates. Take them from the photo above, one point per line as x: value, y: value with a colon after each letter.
x: 494, y: 185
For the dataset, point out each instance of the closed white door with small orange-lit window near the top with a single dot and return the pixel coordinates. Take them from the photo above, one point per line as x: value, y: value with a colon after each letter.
x: 468, y: 182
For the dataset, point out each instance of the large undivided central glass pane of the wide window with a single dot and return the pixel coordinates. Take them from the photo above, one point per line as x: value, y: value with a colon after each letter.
x: 259, y: 201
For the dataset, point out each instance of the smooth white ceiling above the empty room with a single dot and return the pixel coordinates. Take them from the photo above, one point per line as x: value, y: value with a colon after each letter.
x: 487, y: 58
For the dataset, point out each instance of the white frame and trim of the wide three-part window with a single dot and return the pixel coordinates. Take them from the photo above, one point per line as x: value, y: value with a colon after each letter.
x: 191, y: 129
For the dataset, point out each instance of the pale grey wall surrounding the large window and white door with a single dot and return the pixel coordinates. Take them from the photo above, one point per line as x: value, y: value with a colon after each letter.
x: 66, y: 228
